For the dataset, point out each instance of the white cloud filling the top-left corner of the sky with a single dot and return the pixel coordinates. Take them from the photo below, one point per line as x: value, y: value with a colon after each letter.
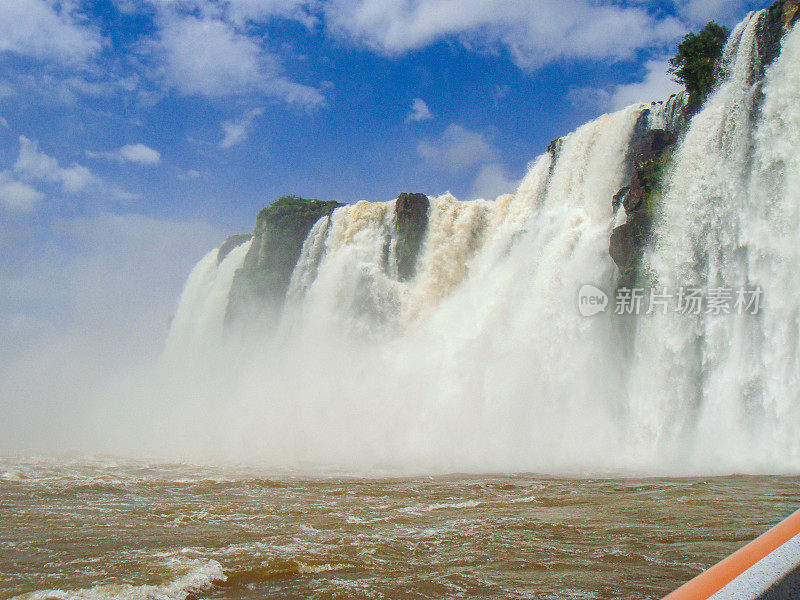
x: 47, y: 31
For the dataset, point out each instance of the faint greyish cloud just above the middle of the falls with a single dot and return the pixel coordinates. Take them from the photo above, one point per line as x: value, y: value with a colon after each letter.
x: 456, y: 149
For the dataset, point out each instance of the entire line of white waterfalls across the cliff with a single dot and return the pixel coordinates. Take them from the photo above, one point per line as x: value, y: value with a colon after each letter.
x: 482, y: 361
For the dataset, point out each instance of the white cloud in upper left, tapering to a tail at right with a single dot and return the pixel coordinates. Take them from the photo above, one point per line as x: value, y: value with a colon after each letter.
x: 208, y: 56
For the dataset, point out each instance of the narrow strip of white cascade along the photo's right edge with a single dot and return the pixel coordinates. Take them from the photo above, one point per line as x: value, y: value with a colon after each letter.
x: 773, y: 239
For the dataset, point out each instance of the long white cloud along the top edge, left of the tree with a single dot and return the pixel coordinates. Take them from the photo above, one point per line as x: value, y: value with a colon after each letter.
x: 534, y: 33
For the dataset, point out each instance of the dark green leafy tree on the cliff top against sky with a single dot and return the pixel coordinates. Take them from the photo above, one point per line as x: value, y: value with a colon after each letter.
x: 693, y: 65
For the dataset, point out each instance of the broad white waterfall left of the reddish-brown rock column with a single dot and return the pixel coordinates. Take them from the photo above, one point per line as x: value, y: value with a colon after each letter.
x: 480, y: 361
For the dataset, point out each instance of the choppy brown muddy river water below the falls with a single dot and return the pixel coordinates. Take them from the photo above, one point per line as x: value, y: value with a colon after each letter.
x: 101, y: 528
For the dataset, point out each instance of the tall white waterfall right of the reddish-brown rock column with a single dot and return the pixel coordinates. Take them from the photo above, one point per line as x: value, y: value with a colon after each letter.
x: 702, y: 390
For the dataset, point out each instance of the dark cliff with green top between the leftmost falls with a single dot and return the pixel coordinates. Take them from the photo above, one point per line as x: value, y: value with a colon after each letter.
x: 281, y: 228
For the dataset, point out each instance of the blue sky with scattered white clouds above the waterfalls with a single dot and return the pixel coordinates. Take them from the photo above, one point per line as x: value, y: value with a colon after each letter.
x: 134, y: 134
